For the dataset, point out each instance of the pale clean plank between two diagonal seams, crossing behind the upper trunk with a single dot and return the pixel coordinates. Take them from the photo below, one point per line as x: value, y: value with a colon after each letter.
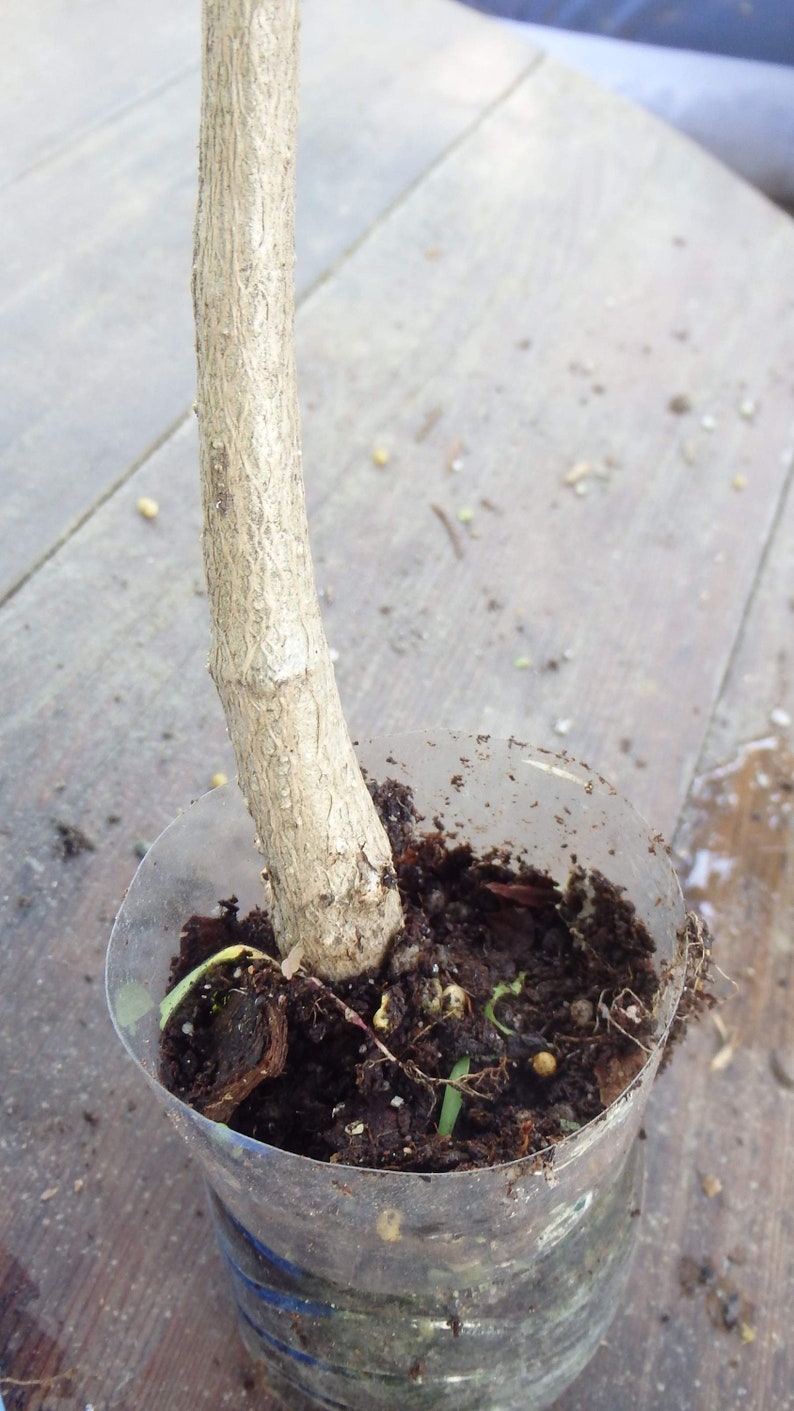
x: 97, y: 344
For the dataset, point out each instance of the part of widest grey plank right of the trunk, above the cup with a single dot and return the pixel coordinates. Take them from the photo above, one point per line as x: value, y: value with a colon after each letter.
x: 599, y: 256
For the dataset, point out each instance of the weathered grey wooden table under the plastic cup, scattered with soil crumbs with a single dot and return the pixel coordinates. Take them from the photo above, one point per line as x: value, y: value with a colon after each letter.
x: 573, y: 334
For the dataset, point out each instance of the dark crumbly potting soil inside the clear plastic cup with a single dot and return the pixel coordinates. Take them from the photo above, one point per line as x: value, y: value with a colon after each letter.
x: 549, y: 995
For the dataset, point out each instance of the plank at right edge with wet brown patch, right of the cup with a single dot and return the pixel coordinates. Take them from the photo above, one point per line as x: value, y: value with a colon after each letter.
x: 710, y: 1328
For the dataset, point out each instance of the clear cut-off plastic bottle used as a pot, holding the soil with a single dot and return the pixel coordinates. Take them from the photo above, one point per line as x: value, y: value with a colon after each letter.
x: 372, y: 1290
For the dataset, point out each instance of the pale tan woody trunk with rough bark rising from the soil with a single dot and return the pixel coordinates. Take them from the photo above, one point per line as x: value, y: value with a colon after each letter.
x: 325, y: 850
